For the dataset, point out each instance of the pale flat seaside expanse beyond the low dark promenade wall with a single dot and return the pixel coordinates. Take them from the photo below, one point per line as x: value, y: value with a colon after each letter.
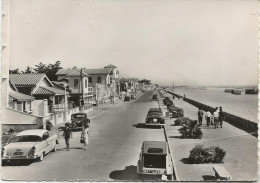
x: 245, y: 106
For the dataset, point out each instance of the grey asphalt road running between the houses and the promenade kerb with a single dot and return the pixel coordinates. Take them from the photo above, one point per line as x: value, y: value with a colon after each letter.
x: 112, y: 153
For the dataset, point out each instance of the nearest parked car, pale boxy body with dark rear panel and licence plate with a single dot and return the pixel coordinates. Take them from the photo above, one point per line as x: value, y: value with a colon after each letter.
x: 155, y: 160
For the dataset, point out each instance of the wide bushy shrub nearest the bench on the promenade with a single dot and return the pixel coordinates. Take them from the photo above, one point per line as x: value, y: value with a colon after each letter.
x: 213, y: 154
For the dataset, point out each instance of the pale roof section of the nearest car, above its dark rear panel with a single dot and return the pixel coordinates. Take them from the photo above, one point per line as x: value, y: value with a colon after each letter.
x: 154, y: 145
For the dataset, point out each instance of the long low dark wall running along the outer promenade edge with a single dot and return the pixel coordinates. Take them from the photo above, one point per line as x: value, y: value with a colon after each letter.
x: 241, y: 123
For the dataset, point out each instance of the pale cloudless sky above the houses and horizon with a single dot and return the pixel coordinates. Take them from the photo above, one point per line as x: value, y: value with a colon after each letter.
x: 202, y: 42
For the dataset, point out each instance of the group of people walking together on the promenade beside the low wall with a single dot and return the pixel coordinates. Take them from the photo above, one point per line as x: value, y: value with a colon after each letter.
x: 216, y: 118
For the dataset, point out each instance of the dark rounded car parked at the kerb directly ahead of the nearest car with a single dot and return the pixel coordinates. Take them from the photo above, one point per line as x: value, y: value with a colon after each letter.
x: 154, y: 117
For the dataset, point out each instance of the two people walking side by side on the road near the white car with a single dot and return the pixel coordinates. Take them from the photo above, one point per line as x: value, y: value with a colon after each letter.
x: 83, y: 138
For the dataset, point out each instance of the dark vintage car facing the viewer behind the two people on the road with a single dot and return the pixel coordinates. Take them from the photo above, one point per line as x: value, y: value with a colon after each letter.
x: 78, y: 119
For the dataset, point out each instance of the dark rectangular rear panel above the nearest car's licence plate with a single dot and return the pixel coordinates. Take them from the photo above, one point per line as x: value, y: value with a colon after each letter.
x: 154, y: 161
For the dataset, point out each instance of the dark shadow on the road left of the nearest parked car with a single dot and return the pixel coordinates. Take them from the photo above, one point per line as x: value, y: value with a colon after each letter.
x: 128, y: 174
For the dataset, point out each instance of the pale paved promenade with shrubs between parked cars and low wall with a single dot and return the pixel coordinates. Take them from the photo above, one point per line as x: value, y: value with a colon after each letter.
x: 240, y: 147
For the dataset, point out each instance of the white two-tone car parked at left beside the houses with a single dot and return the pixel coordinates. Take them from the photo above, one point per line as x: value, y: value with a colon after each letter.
x: 30, y: 144
